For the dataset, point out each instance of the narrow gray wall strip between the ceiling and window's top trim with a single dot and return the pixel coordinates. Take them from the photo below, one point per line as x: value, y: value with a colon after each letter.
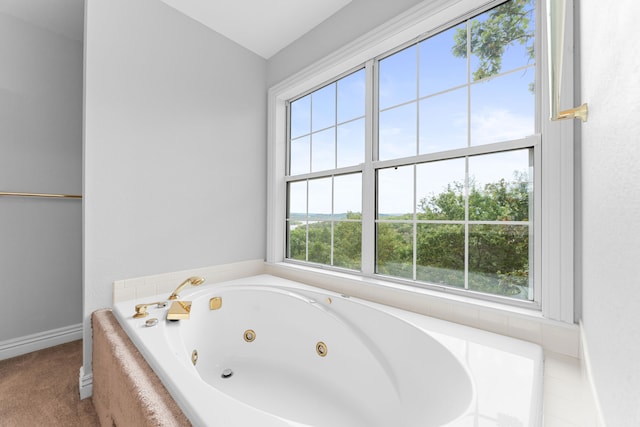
x: 354, y: 20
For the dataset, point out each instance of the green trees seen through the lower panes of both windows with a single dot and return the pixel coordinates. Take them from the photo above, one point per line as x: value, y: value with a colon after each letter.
x: 498, y: 254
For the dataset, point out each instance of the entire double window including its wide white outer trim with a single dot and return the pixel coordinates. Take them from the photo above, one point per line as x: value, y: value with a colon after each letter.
x: 422, y: 165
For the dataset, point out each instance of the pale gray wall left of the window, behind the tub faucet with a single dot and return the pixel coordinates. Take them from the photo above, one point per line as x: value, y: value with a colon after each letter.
x: 174, y: 148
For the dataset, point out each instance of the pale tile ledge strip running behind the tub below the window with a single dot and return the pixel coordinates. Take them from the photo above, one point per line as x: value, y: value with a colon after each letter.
x: 527, y: 325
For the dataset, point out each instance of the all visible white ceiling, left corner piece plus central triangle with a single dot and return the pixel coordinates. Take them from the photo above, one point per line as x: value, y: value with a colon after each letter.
x: 262, y: 26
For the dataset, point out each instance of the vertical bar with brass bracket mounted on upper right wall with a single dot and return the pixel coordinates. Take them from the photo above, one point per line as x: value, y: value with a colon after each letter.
x: 556, y: 10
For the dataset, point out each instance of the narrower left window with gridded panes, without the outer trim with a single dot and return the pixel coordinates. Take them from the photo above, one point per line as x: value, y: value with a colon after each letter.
x: 327, y: 135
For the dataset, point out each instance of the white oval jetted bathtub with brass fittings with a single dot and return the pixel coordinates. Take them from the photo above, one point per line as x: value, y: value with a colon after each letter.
x: 265, y: 351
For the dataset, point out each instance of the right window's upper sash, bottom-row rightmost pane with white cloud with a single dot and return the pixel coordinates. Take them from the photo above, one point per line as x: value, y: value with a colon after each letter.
x: 502, y: 108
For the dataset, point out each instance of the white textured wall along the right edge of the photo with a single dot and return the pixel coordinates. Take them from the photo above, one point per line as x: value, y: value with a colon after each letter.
x: 611, y: 205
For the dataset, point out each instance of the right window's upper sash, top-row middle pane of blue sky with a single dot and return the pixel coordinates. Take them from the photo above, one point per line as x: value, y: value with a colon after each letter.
x: 440, y: 68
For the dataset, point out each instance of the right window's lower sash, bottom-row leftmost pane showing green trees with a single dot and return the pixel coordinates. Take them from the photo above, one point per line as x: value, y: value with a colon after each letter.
x: 395, y: 250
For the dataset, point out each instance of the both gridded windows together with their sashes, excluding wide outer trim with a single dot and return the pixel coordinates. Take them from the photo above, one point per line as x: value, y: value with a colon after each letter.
x: 453, y: 155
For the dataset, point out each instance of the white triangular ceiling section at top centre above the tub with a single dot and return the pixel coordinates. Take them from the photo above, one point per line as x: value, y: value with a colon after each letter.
x: 262, y: 26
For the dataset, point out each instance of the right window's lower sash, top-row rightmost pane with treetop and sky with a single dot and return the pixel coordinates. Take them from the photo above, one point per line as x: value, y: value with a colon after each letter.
x: 500, y: 186
